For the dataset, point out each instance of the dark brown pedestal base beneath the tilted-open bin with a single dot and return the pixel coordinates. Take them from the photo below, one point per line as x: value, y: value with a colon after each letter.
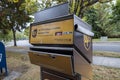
x: 48, y: 74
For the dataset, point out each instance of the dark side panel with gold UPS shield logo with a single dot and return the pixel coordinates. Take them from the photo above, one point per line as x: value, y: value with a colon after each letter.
x: 83, y: 44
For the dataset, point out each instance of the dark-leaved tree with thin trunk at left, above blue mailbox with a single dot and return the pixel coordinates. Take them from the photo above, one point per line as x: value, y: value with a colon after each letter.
x: 14, y: 14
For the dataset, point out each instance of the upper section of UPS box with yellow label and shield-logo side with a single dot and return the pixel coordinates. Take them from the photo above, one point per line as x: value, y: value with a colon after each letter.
x: 67, y: 31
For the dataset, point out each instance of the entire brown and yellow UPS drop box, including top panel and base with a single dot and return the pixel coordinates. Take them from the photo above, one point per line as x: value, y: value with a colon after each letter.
x: 61, y: 45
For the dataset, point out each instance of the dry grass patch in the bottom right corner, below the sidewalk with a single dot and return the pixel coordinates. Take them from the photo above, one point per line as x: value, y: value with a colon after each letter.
x: 105, y: 73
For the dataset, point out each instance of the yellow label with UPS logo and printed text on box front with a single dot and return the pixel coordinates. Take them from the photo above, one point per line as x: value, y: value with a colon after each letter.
x: 60, y: 32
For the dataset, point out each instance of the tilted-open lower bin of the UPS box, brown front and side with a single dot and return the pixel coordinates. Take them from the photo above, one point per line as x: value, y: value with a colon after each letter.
x: 70, y: 64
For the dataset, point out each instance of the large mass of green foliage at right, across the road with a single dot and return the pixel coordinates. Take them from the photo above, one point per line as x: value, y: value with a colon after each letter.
x: 104, y: 18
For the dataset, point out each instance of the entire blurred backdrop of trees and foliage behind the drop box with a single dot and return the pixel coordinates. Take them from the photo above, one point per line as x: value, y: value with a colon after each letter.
x: 102, y: 15
